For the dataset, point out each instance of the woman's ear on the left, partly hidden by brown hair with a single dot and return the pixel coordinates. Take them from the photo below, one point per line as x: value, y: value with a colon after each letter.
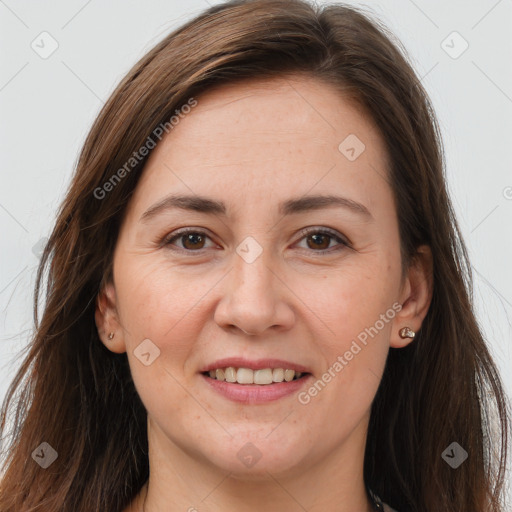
x: 107, y: 319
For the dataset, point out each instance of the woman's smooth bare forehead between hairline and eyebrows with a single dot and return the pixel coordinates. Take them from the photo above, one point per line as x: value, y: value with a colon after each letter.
x: 257, y: 138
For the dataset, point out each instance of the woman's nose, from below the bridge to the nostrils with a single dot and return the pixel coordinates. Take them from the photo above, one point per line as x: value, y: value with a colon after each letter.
x: 255, y: 298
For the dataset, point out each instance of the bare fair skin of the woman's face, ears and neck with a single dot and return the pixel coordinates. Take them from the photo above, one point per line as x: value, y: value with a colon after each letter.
x: 253, y: 145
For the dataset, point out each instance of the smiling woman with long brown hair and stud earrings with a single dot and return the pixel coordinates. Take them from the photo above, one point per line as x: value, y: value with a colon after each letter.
x: 258, y: 297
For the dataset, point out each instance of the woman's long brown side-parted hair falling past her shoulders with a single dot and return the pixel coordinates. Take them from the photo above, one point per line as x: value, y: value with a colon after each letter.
x: 77, y: 396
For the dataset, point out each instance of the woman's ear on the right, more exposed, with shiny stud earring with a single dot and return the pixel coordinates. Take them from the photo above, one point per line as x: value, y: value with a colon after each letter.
x: 415, y: 296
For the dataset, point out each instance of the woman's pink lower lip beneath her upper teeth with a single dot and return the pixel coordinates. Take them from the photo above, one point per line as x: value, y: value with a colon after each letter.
x: 256, y: 393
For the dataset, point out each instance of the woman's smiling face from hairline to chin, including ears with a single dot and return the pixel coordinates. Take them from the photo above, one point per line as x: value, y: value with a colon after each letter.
x: 266, y: 271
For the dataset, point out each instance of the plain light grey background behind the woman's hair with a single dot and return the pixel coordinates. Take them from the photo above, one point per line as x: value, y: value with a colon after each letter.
x: 48, y: 105
